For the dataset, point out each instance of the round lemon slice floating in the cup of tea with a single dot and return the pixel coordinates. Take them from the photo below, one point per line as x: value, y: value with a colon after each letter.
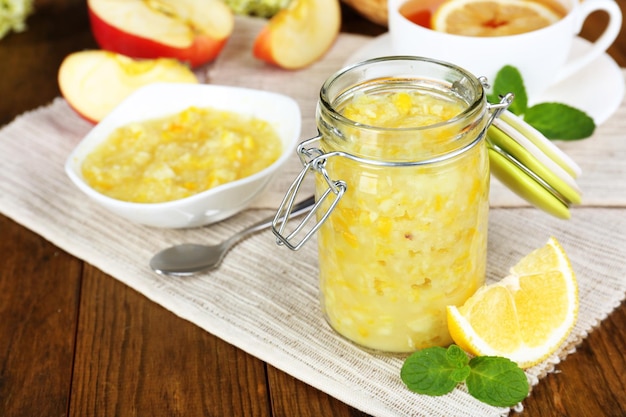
x: 492, y: 17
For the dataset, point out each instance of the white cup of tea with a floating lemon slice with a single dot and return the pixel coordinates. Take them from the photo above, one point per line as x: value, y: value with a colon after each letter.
x: 538, y: 44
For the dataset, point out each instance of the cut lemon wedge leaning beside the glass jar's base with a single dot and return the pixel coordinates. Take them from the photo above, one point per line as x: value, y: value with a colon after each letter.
x: 525, y: 316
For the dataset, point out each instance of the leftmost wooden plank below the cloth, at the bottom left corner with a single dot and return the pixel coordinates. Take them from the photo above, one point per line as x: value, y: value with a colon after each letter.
x: 39, y: 297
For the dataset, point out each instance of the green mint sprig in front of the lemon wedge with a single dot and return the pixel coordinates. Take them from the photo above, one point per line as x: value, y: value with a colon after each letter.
x: 437, y: 371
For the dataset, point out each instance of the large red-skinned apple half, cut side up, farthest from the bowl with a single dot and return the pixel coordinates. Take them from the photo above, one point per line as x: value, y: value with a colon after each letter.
x: 193, y: 31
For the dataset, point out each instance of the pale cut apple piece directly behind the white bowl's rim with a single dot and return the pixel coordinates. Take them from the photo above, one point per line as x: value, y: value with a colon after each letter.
x: 94, y: 82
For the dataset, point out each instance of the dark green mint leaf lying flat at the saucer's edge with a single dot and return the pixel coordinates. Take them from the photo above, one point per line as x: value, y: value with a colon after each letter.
x: 560, y: 121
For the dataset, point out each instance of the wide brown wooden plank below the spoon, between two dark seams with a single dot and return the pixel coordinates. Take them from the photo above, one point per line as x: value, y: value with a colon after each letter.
x: 134, y: 358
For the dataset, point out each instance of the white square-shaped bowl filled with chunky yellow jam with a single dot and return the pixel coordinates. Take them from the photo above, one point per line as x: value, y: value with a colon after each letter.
x: 183, y: 155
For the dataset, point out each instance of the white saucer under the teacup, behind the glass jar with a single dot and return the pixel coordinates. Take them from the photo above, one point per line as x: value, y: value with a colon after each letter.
x: 598, y: 89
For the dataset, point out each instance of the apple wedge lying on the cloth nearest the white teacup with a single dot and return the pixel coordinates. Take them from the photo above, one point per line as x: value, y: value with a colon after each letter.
x: 300, y: 34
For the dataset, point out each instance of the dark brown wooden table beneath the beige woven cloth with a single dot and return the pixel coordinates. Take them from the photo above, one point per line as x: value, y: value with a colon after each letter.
x: 76, y: 342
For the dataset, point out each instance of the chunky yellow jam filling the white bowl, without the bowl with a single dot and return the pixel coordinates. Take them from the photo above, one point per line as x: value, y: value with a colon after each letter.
x: 177, y: 156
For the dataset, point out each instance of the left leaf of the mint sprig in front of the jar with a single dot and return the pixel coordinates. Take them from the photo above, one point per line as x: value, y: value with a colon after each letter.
x: 430, y: 371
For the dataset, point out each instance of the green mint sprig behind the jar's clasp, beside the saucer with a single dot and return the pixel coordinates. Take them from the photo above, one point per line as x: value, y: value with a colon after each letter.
x: 554, y: 120
